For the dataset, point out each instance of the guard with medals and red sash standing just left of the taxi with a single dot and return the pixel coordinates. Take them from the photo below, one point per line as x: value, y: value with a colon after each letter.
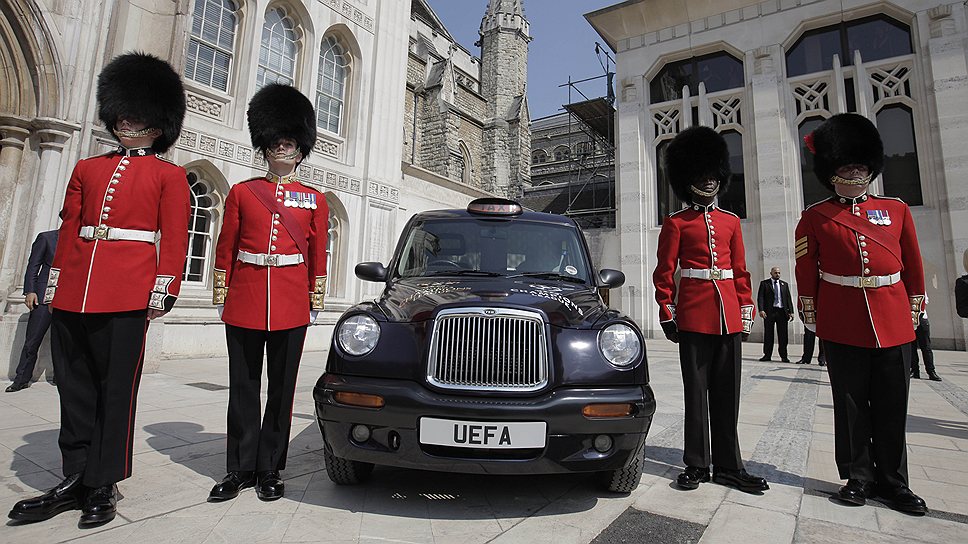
x: 270, y: 274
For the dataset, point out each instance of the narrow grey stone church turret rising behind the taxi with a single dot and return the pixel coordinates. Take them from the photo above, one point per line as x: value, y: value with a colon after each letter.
x: 505, y: 34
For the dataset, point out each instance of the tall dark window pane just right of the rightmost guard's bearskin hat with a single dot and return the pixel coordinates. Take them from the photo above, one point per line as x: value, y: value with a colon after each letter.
x: 901, y: 175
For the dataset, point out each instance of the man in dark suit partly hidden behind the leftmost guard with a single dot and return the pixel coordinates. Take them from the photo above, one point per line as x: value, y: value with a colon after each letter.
x: 38, y: 321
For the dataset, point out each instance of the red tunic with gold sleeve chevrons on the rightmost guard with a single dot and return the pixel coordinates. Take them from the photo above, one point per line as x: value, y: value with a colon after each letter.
x: 872, y: 236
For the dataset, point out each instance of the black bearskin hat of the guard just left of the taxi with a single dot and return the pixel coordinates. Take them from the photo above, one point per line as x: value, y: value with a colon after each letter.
x: 280, y: 111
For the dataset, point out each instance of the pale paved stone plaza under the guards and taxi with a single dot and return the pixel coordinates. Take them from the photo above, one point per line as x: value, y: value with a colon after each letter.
x: 786, y: 426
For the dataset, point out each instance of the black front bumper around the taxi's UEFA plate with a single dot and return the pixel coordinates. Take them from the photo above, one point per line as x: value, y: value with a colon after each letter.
x: 394, y: 437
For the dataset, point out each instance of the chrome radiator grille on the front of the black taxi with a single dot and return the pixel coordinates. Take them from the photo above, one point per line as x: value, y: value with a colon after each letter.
x: 488, y: 349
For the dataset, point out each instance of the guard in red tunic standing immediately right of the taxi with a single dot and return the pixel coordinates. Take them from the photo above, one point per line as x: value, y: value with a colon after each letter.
x: 713, y: 308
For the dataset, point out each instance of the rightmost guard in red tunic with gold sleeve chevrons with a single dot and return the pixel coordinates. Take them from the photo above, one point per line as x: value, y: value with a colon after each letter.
x: 861, y: 289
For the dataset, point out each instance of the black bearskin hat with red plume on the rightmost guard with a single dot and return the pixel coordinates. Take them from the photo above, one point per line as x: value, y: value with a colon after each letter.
x: 845, y: 138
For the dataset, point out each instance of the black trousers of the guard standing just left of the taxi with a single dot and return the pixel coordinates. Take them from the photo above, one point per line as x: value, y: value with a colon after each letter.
x: 252, y: 445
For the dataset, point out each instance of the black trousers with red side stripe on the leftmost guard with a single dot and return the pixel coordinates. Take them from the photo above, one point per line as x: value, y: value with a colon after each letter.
x: 98, y: 361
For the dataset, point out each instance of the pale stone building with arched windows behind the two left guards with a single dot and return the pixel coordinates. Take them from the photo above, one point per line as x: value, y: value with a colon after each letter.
x: 380, y: 132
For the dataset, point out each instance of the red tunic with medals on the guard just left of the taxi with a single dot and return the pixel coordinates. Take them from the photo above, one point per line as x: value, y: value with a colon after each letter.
x: 267, y: 297
